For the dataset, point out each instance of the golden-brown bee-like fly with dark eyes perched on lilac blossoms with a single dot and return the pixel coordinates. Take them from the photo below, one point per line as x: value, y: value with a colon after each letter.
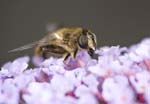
x: 64, y: 42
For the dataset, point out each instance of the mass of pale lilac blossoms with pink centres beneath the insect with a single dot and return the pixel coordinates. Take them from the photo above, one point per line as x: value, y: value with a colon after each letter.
x: 120, y: 76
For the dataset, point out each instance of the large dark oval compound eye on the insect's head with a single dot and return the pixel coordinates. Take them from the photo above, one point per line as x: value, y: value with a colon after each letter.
x: 83, y: 41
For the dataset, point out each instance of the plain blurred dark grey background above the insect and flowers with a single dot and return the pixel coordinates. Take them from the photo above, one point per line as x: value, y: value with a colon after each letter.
x: 115, y: 22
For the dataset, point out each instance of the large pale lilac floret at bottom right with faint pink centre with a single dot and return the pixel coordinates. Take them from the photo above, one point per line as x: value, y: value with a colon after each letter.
x: 116, y: 90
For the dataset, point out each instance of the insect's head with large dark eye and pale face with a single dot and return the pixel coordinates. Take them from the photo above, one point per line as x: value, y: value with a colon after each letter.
x: 87, y: 40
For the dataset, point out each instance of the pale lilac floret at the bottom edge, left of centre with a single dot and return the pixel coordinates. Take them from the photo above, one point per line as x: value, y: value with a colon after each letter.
x: 38, y: 93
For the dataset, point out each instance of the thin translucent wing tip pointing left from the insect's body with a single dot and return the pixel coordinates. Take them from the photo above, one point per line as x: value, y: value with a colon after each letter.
x: 28, y: 46
